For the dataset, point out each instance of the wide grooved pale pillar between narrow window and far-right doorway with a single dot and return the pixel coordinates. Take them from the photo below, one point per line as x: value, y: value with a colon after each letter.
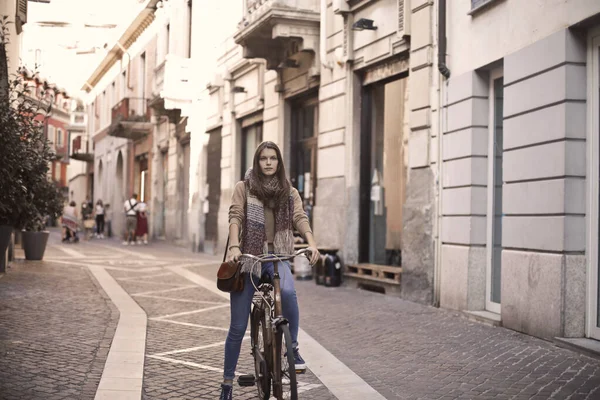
x: 543, y: 228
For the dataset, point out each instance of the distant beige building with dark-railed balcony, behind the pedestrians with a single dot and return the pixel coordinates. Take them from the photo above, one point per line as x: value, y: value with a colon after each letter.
x: 120, y: 118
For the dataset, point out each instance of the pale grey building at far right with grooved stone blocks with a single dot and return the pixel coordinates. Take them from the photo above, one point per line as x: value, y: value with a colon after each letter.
x: 520, y: 165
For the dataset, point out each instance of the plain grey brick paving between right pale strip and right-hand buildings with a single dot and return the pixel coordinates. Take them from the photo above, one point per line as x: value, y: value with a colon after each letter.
x: 409, y: 351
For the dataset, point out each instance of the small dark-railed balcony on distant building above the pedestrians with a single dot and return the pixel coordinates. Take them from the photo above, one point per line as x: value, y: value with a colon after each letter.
x: 131, y: 119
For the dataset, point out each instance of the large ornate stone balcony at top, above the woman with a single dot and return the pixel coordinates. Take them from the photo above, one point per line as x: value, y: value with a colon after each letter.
x: 275, y: 29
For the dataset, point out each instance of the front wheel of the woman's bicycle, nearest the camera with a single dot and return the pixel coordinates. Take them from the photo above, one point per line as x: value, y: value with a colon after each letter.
x: 285, y: 385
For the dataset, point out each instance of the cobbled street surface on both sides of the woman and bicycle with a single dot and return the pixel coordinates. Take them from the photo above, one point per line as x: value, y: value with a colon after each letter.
x: 57, y: 324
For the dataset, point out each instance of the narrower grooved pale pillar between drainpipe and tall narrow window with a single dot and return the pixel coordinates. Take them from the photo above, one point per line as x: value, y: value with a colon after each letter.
x: 464, y: 192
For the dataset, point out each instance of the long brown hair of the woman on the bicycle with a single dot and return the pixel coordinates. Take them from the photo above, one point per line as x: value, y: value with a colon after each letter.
x: 259, y: 190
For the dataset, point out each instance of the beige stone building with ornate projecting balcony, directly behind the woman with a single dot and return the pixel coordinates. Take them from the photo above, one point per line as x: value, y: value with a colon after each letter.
x: 329, y: 82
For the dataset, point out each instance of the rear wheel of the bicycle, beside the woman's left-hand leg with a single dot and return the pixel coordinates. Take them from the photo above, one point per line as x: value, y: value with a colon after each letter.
x: 260, y: 352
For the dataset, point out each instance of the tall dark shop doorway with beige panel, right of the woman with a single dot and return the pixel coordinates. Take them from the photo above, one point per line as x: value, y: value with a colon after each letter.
x: 383, y: 175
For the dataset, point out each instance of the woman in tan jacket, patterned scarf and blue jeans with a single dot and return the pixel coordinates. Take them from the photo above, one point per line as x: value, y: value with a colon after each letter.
x: 265, y: 208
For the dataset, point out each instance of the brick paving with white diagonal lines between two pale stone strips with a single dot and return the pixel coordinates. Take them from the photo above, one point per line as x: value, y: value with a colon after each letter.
x: 185, y: 373
